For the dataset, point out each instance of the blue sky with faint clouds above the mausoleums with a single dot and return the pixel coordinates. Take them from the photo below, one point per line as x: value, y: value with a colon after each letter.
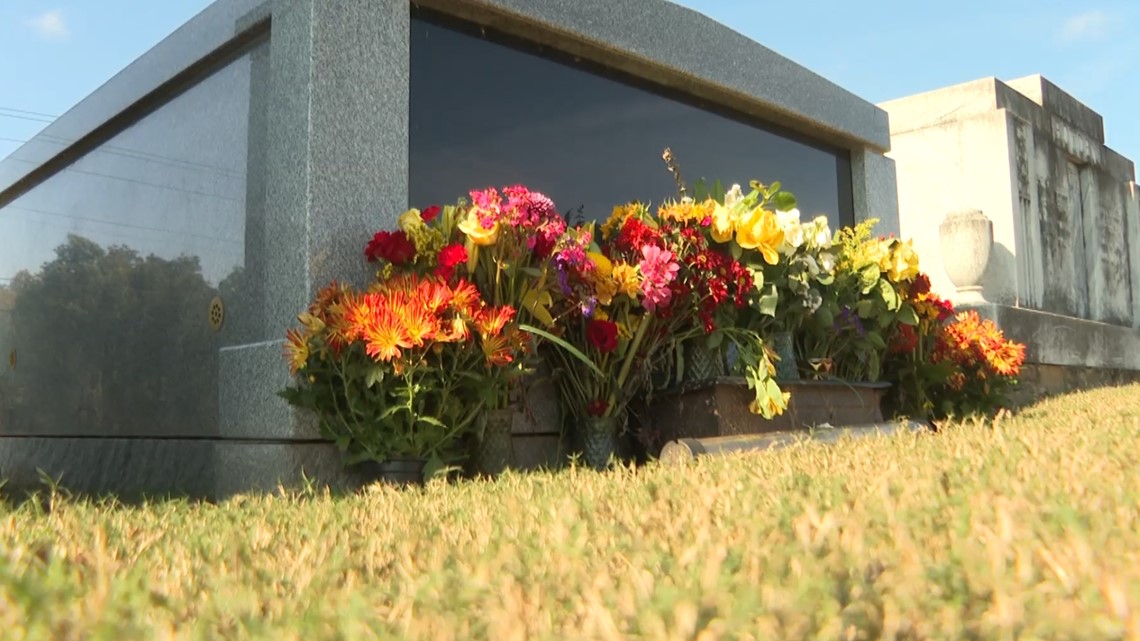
x: 54, y: 53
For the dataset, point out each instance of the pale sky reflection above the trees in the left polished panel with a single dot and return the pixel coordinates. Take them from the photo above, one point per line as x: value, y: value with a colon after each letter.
x: 172, y: 185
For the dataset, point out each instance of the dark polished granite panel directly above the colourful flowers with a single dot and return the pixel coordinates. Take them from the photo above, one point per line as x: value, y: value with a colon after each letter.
x: 484, y: 115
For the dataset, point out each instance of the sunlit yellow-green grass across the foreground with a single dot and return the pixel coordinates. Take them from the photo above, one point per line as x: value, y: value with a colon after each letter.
x: 1027, y: 529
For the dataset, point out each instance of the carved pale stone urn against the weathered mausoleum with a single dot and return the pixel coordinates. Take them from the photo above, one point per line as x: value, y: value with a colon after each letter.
x: 967, y: 241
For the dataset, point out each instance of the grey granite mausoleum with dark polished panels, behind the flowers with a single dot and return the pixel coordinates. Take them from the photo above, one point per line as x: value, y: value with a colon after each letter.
x: 160, y: 238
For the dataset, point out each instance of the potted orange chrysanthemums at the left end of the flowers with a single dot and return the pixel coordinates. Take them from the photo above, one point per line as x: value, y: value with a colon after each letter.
x: 393, y: 372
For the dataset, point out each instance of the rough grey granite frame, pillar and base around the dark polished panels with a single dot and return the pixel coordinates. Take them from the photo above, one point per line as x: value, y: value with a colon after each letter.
x: 327, y: 164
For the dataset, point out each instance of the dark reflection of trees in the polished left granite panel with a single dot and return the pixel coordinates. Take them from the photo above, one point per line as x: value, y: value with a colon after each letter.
x: 112, y: 343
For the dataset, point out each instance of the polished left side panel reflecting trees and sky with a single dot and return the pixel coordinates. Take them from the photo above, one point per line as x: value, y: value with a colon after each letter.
x: 110, y: 269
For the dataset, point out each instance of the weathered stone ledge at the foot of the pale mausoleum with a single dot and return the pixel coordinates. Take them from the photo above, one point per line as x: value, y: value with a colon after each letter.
x: 1053, y: 339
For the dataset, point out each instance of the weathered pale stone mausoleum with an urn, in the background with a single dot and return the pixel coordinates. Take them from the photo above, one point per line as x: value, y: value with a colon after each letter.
x: 1053, y: 247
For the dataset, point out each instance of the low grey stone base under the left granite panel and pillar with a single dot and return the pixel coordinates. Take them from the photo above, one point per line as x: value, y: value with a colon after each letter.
x: 136, y: 468
